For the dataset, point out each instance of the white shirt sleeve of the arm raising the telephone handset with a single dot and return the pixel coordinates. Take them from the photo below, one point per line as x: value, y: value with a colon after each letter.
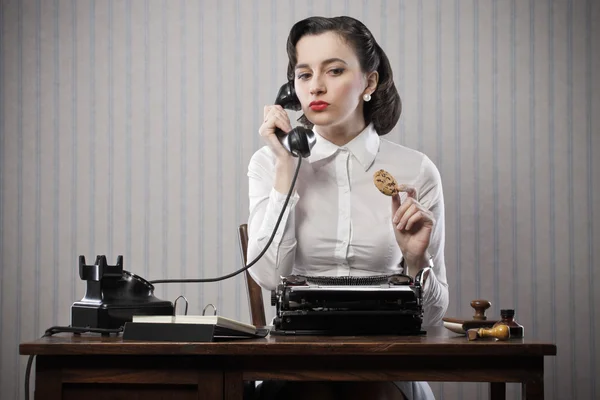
x: 266, y: 205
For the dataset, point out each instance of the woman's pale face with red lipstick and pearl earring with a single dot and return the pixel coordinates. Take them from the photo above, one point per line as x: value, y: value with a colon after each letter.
x: 329, y: 81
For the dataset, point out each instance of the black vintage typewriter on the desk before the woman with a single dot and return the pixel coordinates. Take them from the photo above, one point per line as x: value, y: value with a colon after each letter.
x: 348, y: 305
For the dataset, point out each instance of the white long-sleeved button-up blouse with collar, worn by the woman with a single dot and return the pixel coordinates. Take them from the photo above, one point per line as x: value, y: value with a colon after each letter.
x: 337, y: 223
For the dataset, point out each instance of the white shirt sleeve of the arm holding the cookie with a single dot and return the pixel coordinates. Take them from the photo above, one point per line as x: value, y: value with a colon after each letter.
x: 435, y: 290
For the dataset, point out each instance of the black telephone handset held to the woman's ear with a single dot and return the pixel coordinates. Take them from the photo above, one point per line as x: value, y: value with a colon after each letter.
x: 300, y: 140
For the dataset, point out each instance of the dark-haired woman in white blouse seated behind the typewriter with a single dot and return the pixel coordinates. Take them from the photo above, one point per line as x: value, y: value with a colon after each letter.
x: 337, y: 222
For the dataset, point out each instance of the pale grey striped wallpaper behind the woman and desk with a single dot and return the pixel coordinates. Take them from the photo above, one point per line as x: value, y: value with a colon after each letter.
x: 126, y: 128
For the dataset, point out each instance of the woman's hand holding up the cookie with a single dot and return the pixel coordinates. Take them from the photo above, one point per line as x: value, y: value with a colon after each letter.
x: 413, y: 225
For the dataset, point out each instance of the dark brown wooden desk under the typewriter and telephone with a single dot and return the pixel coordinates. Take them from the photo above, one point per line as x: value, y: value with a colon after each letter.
x: 93, y: 367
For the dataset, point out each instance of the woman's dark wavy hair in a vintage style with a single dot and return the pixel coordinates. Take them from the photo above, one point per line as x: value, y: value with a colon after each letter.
x: 385, y: 106
